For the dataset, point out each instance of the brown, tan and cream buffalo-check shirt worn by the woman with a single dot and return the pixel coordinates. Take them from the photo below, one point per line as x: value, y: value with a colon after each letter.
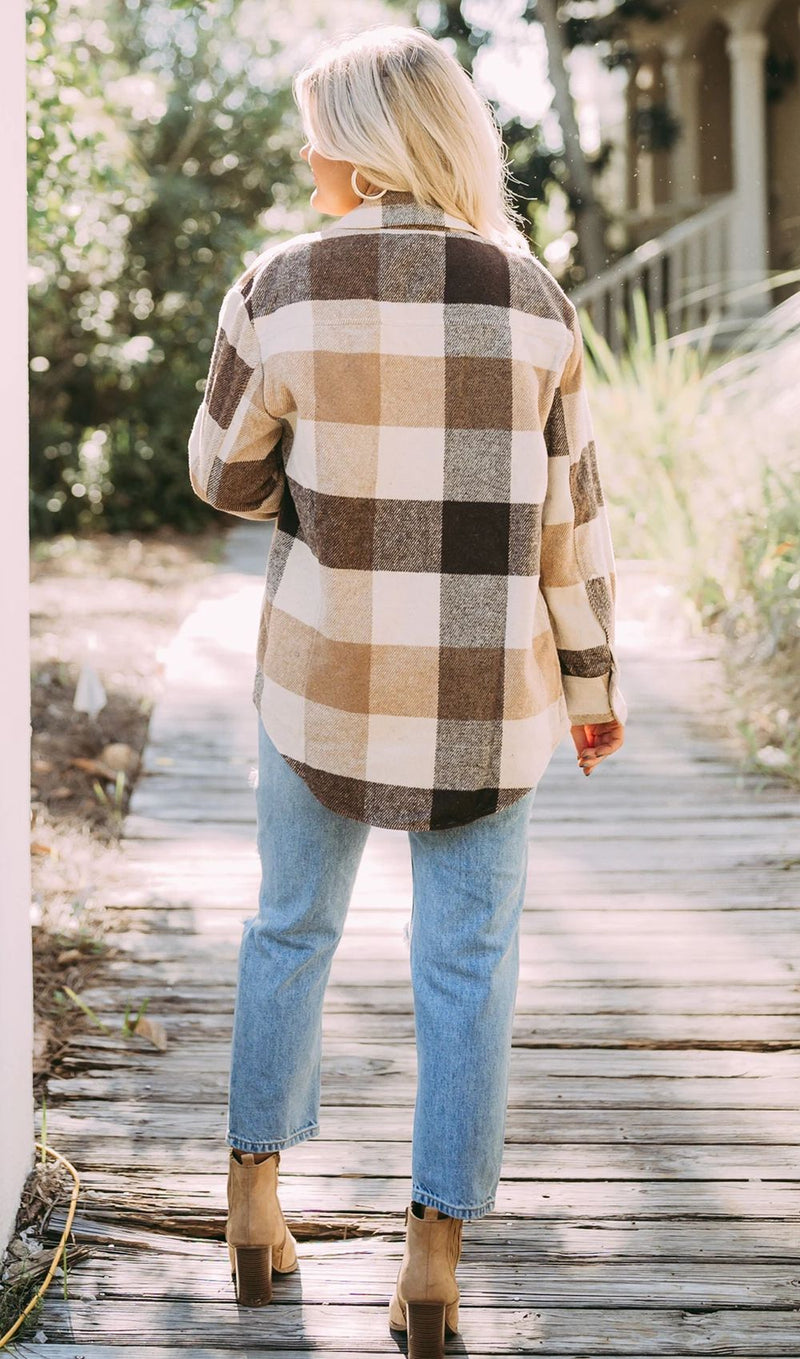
x: 407, y: 400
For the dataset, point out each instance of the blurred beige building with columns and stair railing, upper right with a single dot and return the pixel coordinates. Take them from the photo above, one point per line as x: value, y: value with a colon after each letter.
x: 712, y: 156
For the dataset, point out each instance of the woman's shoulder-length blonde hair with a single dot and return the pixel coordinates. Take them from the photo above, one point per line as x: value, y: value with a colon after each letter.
x: 395, y: 103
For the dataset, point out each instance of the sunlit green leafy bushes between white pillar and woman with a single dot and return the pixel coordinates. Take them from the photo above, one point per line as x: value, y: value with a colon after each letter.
x: 160, y: 137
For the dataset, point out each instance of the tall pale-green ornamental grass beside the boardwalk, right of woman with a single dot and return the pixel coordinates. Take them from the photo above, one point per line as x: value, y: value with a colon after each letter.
x: 700, y: 455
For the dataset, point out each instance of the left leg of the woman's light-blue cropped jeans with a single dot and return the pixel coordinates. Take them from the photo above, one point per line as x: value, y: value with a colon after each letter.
x: 309, y: 862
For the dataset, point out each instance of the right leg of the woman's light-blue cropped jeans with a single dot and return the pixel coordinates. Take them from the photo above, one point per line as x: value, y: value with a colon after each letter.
x: 469, y: 892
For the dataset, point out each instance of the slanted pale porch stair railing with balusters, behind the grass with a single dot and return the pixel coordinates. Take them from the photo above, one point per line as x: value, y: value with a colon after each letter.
x: 685, y: 274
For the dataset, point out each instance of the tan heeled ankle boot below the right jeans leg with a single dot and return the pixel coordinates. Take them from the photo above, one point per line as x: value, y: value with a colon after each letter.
x: 426, y: 1297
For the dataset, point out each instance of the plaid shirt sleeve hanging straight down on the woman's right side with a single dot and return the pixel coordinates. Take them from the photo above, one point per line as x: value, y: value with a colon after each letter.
x: 578, y: 570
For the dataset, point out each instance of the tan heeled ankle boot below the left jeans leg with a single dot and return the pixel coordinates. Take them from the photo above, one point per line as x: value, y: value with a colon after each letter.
x: 257, y: 1233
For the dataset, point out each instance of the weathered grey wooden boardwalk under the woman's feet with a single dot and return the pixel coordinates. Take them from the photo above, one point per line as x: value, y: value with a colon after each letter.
x: 650, y: 1201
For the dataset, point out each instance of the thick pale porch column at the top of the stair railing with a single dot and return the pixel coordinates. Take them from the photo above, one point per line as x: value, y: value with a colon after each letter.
x: 750, y: 241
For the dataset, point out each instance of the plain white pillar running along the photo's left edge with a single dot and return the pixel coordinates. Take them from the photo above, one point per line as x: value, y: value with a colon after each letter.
x: 17, y: 1122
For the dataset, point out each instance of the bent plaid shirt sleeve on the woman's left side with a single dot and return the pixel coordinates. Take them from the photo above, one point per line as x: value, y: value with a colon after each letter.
x: 234, y: 448
